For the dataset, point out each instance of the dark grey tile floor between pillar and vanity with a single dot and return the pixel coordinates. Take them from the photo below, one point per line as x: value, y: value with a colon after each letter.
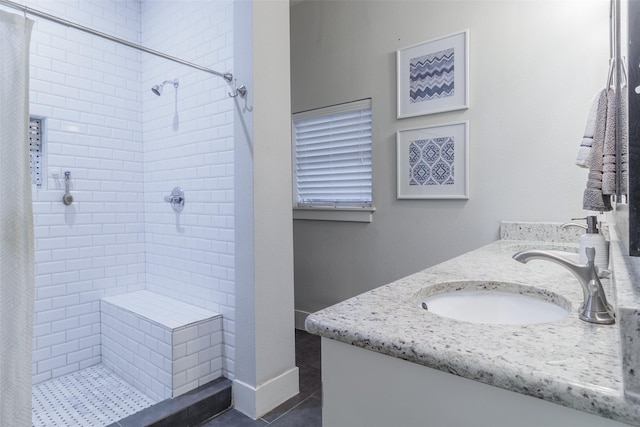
x: 305, y: 409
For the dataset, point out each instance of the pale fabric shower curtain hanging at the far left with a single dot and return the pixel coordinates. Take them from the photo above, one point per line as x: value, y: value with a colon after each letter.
x: 16, y: 223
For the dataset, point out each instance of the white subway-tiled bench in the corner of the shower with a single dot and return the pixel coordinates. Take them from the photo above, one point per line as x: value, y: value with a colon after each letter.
x: 161, y: 346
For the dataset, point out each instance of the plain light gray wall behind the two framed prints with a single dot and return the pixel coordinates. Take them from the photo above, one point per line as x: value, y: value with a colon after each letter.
x: 534, y: 67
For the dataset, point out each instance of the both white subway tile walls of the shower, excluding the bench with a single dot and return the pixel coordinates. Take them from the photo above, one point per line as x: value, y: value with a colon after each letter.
x: 126, y: 149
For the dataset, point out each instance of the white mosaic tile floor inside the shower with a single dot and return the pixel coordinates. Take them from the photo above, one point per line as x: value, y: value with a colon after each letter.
x: 93, y: 397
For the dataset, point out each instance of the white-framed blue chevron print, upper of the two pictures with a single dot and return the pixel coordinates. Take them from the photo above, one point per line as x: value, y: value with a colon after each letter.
x: 433, y: 76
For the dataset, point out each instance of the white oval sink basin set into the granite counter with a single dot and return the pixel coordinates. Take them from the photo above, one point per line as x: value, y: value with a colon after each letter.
x: 495, y: 303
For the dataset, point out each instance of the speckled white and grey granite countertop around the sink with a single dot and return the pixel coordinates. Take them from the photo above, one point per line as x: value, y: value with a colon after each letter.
x: 569, y: 362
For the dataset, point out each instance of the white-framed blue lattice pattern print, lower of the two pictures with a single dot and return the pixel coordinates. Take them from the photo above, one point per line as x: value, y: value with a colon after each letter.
x: 433, y: 162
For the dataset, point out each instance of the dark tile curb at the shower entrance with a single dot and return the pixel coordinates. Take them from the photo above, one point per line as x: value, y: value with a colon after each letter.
x: 188, y: 410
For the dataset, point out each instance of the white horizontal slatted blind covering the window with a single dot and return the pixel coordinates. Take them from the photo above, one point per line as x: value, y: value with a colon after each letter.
x: 332, y: 159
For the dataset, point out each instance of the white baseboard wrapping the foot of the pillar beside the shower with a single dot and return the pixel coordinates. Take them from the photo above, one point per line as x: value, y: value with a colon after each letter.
x: 255, y: 401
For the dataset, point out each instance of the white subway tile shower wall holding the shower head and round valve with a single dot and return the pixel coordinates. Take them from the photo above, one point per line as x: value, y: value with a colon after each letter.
x: 188, y: 142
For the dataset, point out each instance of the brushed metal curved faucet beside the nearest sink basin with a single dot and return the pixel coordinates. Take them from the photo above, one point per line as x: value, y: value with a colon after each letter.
x: 595, y: 308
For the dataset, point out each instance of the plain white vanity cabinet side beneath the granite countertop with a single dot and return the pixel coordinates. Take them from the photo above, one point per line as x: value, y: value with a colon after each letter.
x: 362, y: 388
